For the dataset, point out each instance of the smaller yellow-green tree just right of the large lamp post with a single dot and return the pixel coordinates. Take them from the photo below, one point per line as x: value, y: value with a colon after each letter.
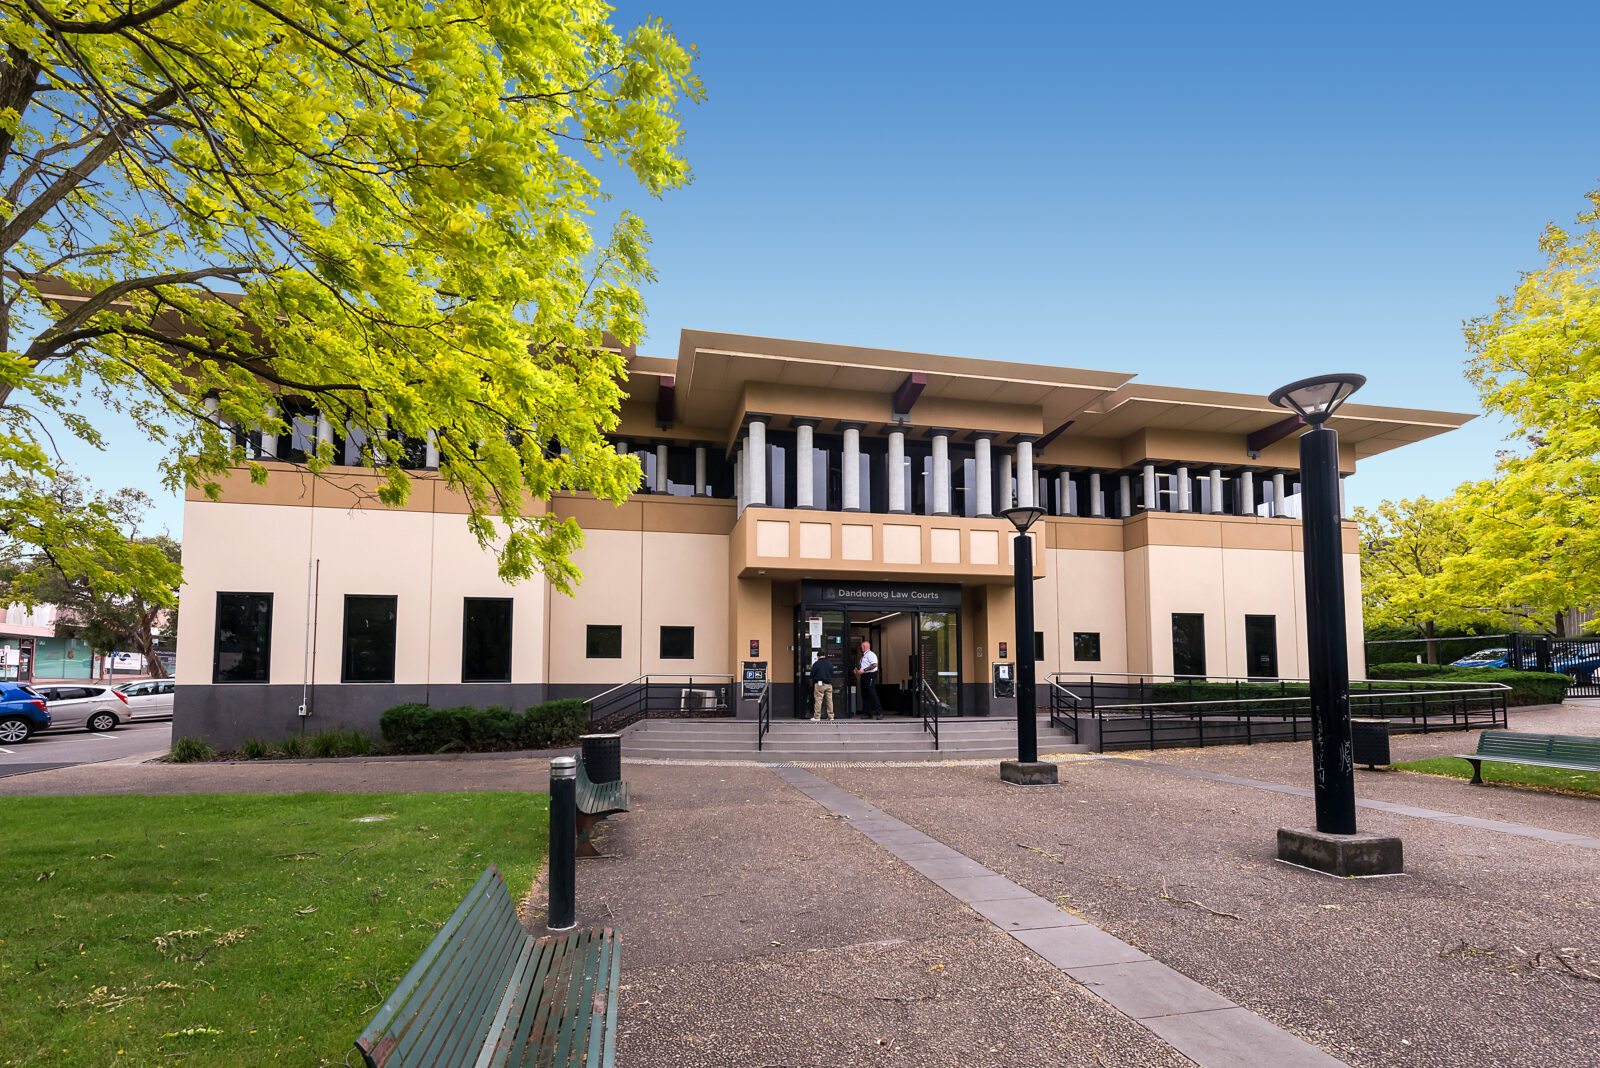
x: 1406, y: 546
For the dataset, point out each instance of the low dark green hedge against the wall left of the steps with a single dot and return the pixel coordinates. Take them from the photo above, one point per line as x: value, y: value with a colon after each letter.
x: 418, y: 728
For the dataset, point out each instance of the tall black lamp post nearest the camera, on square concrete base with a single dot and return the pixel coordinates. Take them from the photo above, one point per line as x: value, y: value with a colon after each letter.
x: 1335, y: 847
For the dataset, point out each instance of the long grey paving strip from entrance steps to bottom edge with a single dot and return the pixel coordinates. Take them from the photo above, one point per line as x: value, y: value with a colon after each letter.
x: 1193, y: 1019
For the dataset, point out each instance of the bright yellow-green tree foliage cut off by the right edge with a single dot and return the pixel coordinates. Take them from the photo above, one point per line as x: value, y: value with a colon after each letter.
x: 1535, y: 527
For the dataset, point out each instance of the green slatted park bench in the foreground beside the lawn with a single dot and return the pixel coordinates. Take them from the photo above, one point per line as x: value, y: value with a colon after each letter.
x: 487, y: 994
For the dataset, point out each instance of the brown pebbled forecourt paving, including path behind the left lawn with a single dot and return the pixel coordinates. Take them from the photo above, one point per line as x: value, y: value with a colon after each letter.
x: 1135, y: 915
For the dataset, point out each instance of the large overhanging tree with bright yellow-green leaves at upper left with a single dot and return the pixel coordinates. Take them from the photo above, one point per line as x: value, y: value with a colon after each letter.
x: 402, y: 193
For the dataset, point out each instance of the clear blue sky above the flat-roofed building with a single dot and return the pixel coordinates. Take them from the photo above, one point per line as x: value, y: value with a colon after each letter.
x: 1223, y: 196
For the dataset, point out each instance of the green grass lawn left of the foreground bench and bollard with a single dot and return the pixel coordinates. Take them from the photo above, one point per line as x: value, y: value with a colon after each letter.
x: 233, y: 930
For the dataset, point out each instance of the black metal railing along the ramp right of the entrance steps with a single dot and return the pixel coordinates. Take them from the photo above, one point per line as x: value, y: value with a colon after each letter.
x: 1273, y: 712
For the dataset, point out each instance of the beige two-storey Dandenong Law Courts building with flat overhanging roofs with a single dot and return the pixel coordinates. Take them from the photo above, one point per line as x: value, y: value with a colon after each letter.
x: 770, y: 530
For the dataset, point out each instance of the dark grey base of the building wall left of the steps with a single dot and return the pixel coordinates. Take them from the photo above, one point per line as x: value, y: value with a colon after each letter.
x: 228, y: 715
